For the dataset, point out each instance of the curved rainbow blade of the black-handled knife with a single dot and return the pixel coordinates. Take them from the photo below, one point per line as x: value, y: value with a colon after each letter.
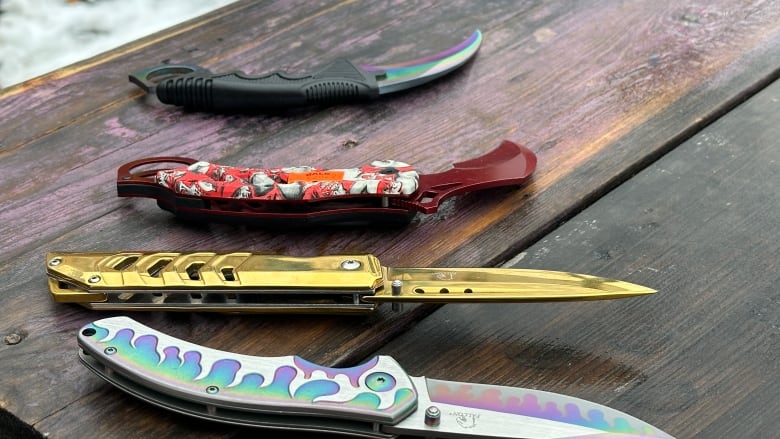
x: 403, y: 75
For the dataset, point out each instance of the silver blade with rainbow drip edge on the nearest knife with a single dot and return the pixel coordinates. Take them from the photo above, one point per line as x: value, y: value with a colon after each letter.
x: 480, y: 410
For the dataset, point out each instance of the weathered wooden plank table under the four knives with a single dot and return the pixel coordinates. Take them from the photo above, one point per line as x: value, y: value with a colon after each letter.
x: 655, y: 125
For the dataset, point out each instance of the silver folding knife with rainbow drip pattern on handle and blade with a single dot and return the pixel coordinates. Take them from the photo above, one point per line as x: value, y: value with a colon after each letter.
x: 376, y: 399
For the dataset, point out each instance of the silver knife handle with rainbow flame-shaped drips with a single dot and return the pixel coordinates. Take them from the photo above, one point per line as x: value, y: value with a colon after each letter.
x: 202, y: 381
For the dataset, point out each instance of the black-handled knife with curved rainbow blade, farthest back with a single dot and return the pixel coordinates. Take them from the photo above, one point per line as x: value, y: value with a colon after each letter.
x: 340, y: 82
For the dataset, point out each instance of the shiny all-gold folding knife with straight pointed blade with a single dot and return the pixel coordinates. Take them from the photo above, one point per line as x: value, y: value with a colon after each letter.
x: 247, y: 282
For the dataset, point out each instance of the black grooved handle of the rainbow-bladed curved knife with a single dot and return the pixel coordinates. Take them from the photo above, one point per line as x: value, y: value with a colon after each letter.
x: 338, y: 83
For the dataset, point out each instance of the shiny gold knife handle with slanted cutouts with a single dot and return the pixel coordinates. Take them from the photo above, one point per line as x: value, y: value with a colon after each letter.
x: 93, y: 277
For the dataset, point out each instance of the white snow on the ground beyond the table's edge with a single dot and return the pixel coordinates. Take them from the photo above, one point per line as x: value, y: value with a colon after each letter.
x: 38, y: 36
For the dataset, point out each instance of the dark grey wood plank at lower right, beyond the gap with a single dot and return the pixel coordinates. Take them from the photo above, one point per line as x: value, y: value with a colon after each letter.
x: 699, y: 358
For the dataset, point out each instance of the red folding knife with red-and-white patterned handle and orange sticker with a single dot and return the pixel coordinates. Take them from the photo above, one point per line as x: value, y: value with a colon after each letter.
x: 384, y: 192
